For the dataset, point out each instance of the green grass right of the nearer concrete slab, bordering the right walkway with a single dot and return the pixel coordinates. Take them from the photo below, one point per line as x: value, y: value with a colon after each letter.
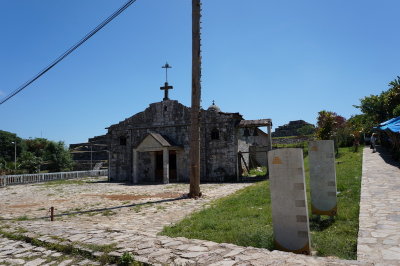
x: 340, y: 238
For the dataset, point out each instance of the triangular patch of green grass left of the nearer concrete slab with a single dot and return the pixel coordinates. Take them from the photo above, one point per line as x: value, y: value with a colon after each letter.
x: 243, y: 218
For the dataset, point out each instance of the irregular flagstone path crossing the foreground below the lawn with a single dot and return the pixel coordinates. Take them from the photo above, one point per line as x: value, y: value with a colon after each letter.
x: 161, y: 250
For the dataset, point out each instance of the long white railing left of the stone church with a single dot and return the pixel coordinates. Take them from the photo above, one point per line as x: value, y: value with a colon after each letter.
x: 7, y: 180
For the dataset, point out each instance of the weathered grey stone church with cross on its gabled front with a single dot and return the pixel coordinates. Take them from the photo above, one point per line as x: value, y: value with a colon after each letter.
x: 153, y: 145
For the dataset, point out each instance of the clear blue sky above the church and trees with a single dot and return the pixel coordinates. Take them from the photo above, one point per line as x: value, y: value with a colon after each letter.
x: 284, y: 60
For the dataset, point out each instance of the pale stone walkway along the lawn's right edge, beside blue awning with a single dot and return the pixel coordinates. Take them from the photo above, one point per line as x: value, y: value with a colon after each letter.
x: 379, y: 233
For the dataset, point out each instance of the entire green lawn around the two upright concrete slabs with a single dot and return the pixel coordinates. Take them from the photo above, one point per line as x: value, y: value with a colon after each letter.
x: 244, y: 218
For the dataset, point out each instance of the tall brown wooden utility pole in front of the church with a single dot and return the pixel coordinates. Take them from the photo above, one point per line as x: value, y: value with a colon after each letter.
x: 196, y: 95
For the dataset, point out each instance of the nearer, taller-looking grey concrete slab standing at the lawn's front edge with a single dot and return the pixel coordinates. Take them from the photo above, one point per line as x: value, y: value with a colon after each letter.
x: 289, y: 200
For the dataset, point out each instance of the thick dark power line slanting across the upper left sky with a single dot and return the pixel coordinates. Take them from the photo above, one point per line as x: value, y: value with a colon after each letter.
x: 69, y: 51
